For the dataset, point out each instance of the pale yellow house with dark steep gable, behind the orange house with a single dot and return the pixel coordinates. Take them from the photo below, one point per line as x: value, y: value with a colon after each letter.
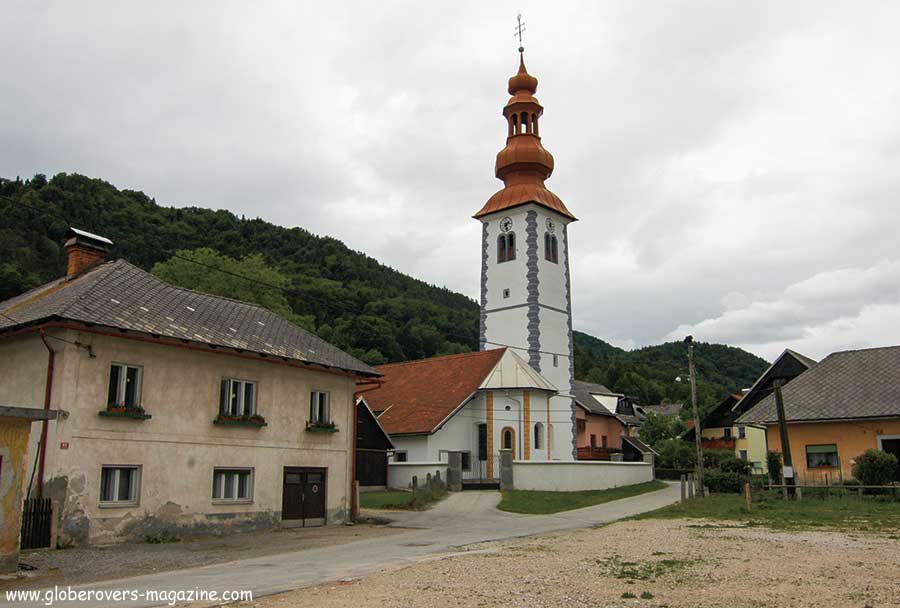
x: 722, y: 429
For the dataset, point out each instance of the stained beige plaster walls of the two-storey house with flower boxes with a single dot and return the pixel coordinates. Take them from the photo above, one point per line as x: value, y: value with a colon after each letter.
x: 179, y: 446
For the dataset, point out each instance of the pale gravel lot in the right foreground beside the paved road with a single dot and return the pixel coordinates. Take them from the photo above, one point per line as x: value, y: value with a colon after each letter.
x: 654, y: 563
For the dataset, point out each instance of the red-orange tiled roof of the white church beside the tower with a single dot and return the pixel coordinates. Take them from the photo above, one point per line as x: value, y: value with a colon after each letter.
x: 417, y: 396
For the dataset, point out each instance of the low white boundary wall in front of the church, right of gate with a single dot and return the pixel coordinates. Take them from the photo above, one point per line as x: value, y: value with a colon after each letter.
x: 578, y: 476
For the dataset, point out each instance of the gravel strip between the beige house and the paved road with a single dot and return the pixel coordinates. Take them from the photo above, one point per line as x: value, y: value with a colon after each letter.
x: 90, y: 564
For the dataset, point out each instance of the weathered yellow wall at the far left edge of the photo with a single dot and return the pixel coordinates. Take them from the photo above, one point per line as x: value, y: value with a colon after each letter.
x: 13, y: 454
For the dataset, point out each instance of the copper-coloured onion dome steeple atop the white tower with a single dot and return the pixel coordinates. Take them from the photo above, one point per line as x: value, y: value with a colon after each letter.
x: 523, y: 164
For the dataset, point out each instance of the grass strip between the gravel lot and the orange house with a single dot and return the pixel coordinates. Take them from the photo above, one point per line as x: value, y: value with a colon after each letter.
x: 770, y: 510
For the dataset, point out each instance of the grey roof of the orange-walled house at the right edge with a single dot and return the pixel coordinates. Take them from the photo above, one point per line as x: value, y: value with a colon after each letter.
x: 848, y: 384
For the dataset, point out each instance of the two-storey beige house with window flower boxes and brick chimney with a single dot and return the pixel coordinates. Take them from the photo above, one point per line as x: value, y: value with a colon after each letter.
x: 186, y: 412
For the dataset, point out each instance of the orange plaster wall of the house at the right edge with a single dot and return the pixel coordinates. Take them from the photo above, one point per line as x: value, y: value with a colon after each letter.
x: 852, y: 439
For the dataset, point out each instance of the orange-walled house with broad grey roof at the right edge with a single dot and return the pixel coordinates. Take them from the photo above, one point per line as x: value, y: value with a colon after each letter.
x: 845, y: 405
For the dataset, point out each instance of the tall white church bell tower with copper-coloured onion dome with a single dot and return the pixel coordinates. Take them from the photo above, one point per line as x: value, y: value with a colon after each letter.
x: 526, y: 299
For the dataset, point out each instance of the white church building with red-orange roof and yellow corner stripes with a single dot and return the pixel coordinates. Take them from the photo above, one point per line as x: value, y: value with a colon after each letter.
x: 476, y: 403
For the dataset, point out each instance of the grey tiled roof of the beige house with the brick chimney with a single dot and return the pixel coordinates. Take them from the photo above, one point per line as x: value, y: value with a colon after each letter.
x: 120, y: 295
